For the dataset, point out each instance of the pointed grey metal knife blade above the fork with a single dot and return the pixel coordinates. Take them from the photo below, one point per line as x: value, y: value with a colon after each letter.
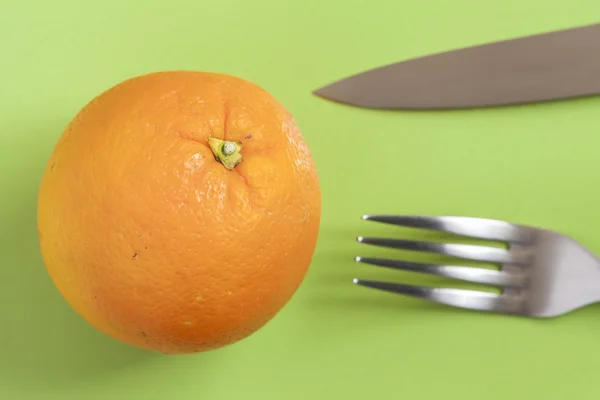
x: 539, y: 68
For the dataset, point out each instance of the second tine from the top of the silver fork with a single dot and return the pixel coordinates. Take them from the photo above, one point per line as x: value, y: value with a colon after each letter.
x: 464, y: 251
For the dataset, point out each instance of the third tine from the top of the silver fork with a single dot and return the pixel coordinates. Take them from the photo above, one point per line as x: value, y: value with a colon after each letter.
x: 467, y: 274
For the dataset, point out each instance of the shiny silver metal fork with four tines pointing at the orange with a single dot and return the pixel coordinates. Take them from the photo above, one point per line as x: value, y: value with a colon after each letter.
x: 541, y: 273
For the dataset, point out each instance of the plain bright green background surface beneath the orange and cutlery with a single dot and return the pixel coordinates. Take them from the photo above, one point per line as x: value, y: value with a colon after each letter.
x: 534, y: 164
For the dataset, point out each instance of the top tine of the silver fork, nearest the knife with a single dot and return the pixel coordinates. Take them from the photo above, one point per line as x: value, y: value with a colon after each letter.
x: 480, y: 228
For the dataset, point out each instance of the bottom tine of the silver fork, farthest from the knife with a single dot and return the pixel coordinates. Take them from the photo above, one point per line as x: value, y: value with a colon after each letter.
x: 470, y: 299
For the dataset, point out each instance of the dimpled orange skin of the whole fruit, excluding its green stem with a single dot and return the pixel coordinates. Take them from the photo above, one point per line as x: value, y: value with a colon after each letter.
x: 151, y: 239
